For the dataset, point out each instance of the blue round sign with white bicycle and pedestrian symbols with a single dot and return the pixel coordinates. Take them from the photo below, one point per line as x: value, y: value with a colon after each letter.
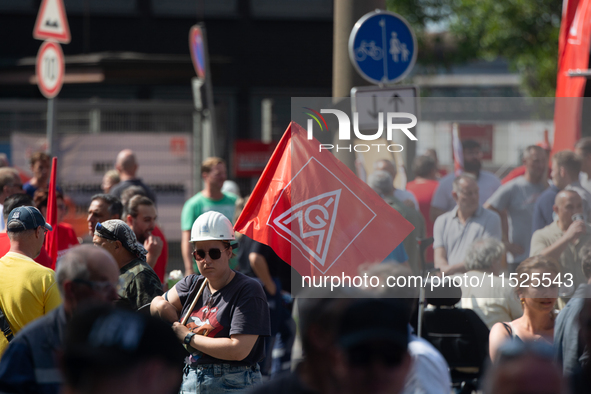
x: 382, y: 47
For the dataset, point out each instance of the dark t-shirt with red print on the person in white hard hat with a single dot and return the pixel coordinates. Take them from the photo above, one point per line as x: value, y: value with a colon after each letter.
x: 238, y: 308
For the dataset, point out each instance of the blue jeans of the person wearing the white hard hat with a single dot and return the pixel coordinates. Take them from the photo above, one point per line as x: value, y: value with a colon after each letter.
x: 219, y: 378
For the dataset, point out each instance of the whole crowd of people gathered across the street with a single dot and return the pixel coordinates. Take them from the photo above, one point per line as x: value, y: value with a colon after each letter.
x: 102, y: 319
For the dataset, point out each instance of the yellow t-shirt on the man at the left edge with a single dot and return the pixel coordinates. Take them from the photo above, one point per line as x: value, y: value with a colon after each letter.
x: 27, y: 291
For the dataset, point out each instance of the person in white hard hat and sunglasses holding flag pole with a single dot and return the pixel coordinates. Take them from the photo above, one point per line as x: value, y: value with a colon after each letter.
x: 225, y: 328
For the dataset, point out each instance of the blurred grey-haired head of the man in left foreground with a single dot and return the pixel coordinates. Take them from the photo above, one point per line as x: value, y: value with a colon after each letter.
x: 87, y: 274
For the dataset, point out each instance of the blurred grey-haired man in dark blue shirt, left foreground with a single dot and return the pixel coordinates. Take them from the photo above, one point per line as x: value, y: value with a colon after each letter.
x: 85, y: 275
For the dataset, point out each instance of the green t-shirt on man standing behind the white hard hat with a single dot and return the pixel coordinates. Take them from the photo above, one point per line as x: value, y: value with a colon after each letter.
x: 199, y: 204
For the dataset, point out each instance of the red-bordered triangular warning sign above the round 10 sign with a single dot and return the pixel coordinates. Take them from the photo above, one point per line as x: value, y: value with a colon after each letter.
x: 52, y: 22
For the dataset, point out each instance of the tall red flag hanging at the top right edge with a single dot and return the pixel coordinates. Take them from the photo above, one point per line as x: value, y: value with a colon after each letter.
x: 573, y: 54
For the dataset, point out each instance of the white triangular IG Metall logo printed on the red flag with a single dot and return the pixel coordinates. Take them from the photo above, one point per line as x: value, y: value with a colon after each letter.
x: 311, y: 223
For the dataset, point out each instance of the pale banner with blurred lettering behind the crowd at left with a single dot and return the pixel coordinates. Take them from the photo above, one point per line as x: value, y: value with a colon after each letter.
x: 165, y: 164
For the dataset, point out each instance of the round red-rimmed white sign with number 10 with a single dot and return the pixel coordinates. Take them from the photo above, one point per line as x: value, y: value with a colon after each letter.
x: 50, y: 68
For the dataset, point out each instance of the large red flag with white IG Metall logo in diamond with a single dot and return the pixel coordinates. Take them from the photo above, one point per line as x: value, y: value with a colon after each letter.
x: 316, y: 214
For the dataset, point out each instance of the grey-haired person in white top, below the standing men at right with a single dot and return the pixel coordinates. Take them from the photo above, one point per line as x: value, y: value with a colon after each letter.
x: 491, y: 301
